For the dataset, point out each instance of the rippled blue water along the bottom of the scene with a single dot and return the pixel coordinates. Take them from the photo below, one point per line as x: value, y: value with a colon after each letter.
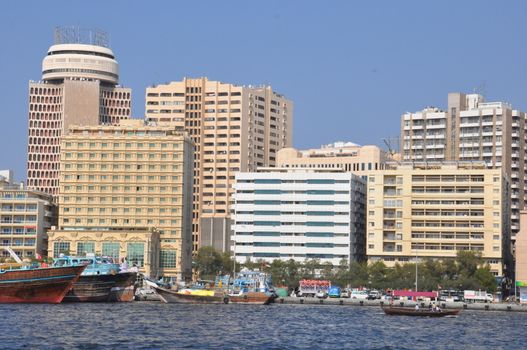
x: 171, y: 326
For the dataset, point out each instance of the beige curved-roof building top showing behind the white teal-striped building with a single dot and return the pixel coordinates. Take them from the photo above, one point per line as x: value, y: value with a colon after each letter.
x: 349, y: 157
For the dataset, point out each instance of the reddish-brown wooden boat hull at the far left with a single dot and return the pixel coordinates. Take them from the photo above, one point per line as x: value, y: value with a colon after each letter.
x: 42, y: 285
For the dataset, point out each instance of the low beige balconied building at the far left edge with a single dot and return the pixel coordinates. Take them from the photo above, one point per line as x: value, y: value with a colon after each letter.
x: 25, y: 215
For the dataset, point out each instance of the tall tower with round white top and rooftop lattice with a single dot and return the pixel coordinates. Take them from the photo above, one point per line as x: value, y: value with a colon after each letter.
x: 78, y: 87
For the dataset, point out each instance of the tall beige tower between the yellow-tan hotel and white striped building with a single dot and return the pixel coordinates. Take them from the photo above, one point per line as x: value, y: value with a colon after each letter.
x: 235, y: 128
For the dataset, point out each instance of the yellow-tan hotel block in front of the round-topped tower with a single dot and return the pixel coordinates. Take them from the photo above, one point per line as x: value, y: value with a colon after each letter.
x: 127, y: 185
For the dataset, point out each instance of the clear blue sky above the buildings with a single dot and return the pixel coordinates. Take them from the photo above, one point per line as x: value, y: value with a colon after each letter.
x: 351, y: 67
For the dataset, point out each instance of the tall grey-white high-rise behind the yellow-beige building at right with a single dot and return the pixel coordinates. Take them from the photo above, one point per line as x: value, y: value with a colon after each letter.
x: 471, y: 130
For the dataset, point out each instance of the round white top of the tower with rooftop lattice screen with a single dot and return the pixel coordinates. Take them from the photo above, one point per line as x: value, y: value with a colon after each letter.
x: 80, y: 54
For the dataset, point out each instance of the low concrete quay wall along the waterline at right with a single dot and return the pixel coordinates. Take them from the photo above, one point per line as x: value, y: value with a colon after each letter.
x: 406, y: 303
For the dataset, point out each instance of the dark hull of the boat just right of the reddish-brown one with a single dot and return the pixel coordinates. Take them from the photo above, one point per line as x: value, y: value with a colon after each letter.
x: 102, y: 288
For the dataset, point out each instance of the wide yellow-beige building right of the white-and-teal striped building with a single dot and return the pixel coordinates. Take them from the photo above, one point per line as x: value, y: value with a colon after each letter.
x: 435, y: 210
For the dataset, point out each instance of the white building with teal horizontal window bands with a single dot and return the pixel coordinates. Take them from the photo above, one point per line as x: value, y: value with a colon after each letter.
x: 299, y: 214
